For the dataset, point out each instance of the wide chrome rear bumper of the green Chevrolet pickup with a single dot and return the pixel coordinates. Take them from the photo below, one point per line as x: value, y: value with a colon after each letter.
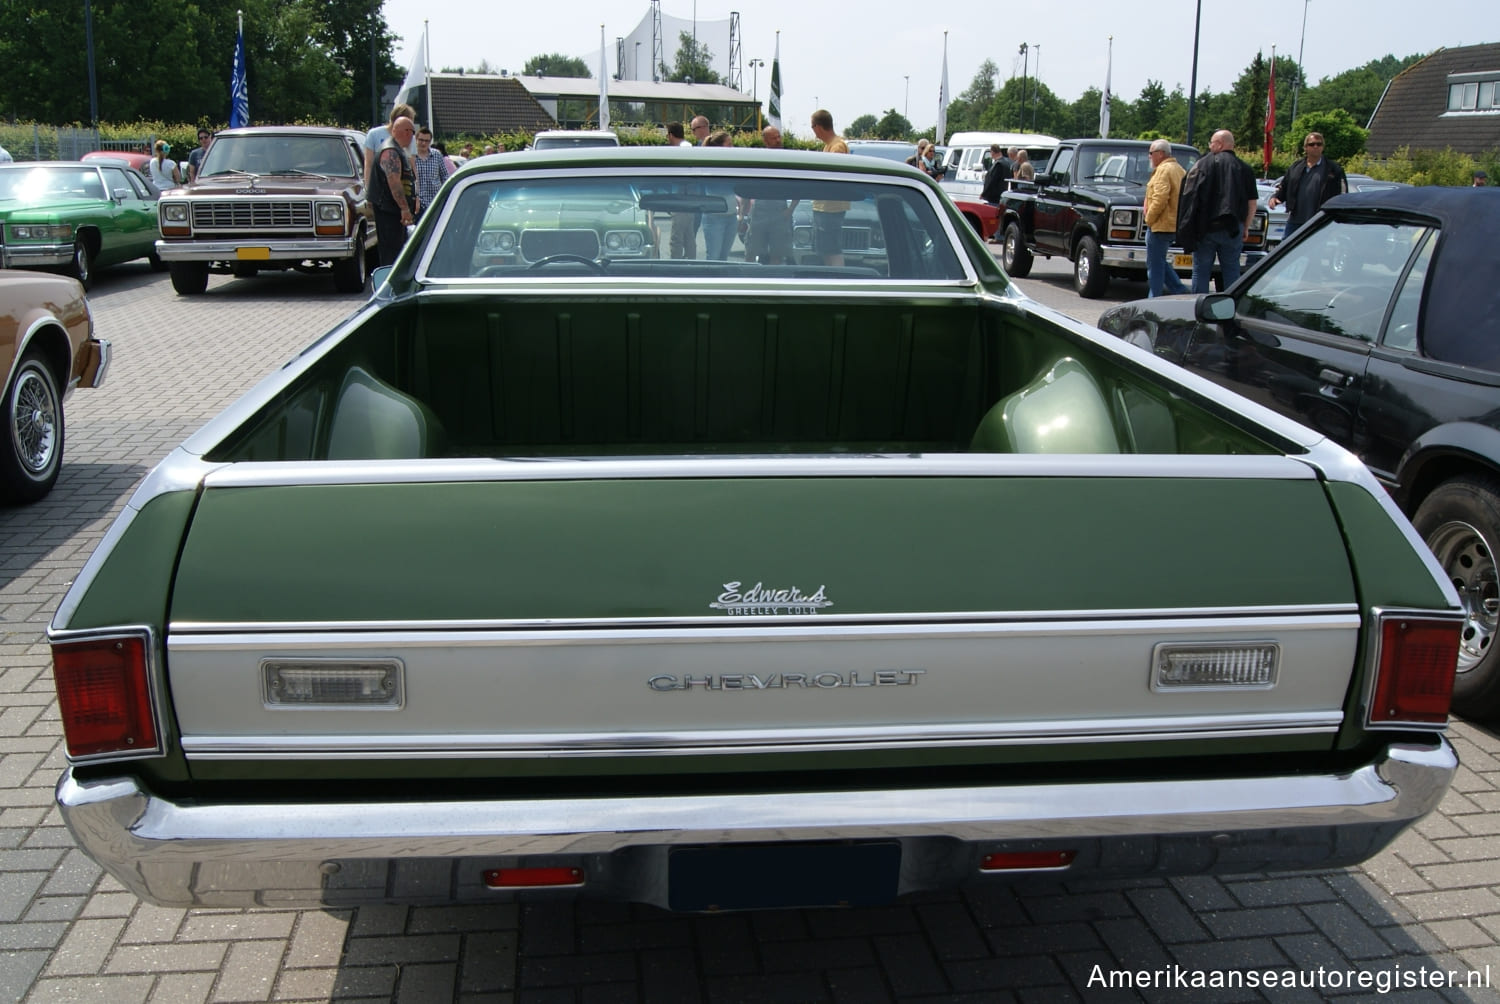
x: 302, y: 855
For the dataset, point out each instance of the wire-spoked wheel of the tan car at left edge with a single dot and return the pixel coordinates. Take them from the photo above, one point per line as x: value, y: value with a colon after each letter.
x: 32, y: 452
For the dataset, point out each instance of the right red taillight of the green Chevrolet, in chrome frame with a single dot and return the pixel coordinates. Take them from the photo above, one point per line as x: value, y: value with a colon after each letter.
x: 1415, y: 675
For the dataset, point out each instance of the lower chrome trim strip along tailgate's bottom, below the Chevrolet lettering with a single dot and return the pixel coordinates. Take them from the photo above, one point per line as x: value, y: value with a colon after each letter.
x: 734, y: 742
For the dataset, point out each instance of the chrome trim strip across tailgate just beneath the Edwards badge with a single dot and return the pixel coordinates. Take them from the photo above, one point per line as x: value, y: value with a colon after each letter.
x: 223, y: 636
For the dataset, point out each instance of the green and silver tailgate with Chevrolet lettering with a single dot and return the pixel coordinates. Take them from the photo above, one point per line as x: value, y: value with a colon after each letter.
x: 799, y: 610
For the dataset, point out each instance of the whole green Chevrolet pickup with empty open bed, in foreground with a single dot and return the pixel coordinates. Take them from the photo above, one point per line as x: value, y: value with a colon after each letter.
x: 739, y: 585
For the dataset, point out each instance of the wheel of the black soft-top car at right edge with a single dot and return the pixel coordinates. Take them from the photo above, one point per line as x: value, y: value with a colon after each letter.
x: 1462, y: 525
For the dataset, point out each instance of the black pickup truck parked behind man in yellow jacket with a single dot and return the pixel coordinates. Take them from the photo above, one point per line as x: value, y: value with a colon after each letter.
x: 1088, y: 205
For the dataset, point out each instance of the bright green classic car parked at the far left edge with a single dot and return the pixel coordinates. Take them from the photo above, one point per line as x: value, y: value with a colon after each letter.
x: 76, y: 217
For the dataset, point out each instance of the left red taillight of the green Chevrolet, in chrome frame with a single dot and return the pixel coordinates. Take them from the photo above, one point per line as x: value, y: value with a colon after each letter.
x: 104, y: 696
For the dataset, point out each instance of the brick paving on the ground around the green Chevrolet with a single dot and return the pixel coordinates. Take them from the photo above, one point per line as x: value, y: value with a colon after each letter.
x: 71, y: 934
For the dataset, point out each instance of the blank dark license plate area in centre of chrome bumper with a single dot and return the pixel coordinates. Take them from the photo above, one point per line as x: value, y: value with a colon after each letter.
x: 782, y: 876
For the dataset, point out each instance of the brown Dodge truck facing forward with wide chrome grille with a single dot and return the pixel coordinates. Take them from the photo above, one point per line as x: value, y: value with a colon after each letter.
x: 266, y: 199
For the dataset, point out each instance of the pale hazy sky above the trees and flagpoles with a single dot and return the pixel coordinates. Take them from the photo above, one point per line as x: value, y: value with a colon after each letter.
x: 857, y: 58
